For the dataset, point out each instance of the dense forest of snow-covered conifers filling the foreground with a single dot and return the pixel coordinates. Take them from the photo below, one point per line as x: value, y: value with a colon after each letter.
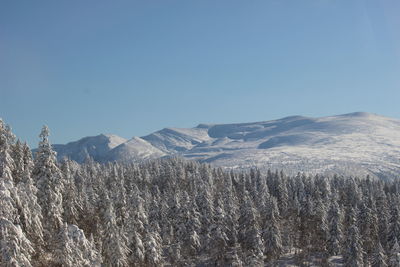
x: 173, y: 212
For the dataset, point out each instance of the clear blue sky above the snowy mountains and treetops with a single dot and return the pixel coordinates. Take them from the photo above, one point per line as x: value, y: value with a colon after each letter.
x: 132, y: 67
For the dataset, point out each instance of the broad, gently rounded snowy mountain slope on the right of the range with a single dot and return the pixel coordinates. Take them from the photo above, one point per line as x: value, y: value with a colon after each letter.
x: 359, y: 142
